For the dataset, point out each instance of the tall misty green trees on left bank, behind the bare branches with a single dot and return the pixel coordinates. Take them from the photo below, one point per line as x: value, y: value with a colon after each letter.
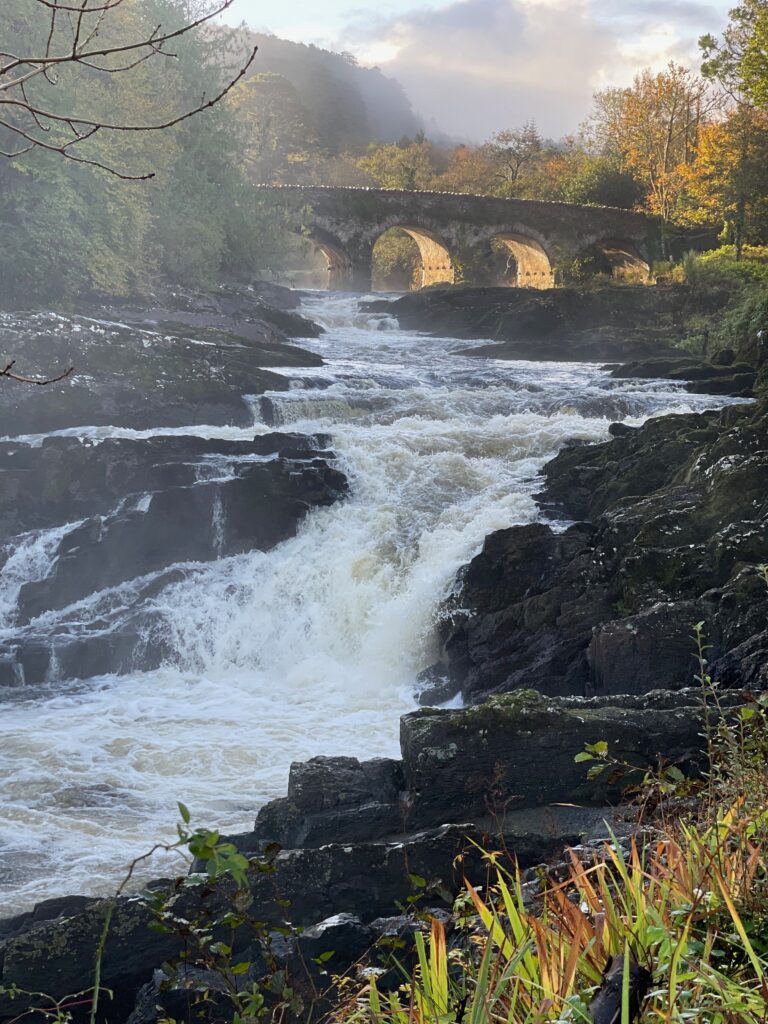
x: 196, y: 222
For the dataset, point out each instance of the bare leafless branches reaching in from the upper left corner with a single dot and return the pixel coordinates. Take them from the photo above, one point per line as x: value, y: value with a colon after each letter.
x: 54, y: 52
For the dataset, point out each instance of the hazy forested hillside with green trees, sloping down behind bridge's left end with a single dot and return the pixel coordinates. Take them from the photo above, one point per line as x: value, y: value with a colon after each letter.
x: 72, y: 229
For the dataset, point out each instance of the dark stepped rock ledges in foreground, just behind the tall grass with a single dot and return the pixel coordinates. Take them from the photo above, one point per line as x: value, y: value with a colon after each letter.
x: 360, y: 839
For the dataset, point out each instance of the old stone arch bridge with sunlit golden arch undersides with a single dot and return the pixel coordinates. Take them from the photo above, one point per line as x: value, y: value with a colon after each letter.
x: 347, y: 223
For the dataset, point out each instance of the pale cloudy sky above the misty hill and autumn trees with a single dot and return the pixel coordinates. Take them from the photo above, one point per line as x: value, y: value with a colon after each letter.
x: 475, y: 67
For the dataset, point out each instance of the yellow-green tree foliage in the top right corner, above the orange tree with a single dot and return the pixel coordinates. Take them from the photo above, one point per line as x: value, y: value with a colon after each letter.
x: 739, y: 63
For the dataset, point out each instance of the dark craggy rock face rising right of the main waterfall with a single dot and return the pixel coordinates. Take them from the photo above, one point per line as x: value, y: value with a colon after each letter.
x: 678, y: 514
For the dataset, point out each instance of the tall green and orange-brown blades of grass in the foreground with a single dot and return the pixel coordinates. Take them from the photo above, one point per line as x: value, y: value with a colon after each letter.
x: 680, y: 911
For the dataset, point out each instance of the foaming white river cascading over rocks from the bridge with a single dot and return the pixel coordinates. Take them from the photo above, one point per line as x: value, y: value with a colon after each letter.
x: 316, y: 647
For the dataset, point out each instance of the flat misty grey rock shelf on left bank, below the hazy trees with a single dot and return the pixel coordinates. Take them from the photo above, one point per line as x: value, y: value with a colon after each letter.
x: 192, y: 359
